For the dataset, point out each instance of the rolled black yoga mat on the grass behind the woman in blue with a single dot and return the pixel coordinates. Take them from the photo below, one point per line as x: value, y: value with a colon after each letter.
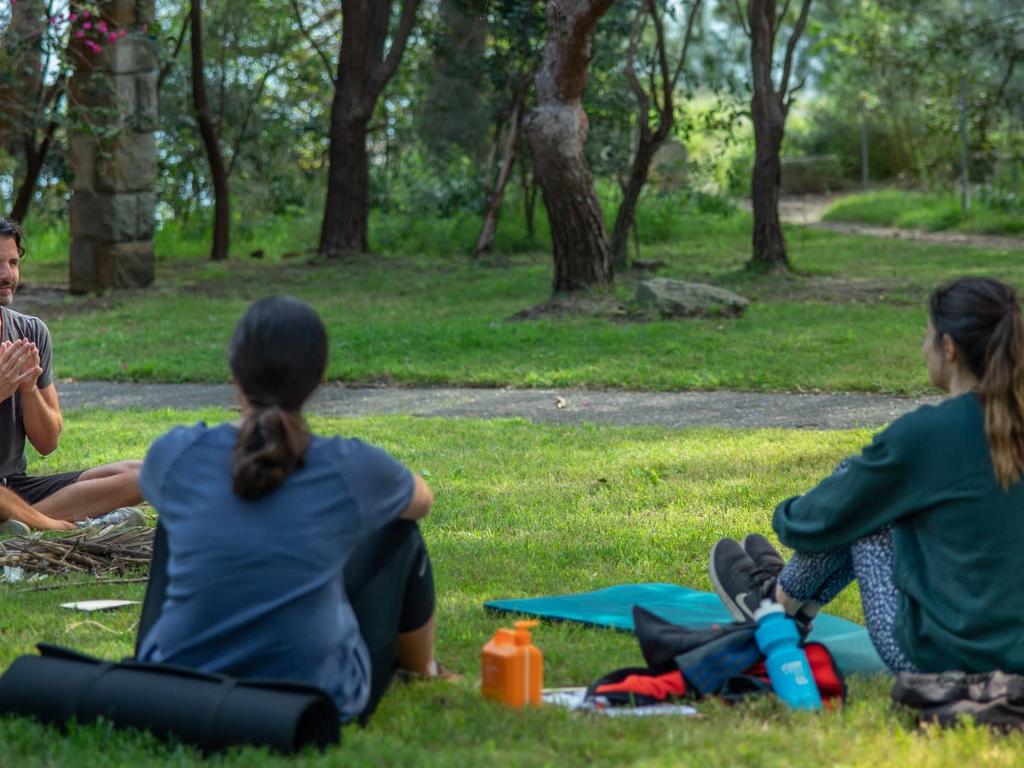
x: 211, y: 712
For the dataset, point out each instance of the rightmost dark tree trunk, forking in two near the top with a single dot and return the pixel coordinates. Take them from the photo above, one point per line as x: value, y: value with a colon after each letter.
x: 770, y: 106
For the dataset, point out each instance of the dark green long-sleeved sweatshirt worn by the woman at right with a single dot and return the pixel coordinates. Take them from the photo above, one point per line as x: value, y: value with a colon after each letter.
x: 958, y: 536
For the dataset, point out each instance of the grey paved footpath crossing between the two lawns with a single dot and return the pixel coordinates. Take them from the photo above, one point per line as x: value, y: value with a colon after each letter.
x: 554, y: 406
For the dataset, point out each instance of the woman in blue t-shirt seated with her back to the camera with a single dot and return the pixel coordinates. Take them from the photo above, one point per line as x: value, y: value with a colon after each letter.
x: 288, y: 556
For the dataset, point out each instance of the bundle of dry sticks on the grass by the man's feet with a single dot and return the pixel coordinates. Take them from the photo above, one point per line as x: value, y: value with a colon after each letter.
x: 99, y: 551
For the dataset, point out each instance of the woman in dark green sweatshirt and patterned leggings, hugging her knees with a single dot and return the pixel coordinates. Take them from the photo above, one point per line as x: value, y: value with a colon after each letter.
x: 929, y: 519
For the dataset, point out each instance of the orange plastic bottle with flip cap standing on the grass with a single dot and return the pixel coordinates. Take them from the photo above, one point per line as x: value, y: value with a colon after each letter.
x: 513, y: 668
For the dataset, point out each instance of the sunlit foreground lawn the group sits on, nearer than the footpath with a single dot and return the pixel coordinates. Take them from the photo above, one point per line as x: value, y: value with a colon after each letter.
x: 524, y: 510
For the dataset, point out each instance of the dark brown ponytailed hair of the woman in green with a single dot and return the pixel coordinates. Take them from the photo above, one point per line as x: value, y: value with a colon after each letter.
x: 984, y: 318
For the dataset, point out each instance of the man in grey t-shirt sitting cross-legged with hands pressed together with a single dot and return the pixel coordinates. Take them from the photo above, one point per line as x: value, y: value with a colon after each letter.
x: 29, y: 408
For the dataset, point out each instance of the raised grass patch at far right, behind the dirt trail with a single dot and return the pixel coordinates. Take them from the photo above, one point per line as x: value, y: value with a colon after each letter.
x: 934, y: 211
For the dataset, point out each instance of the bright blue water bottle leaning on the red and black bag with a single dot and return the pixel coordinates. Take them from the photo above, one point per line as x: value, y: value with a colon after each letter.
x: 787, y: 664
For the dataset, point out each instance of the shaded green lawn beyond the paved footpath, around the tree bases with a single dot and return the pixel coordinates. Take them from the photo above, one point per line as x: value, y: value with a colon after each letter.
x: 851, y: 319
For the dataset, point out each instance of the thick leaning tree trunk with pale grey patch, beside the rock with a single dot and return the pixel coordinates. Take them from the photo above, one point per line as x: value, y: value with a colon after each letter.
x: 558, y: 131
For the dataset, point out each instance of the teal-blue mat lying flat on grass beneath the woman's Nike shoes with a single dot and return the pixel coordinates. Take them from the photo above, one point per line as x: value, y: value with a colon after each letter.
x: 848, y: 643
